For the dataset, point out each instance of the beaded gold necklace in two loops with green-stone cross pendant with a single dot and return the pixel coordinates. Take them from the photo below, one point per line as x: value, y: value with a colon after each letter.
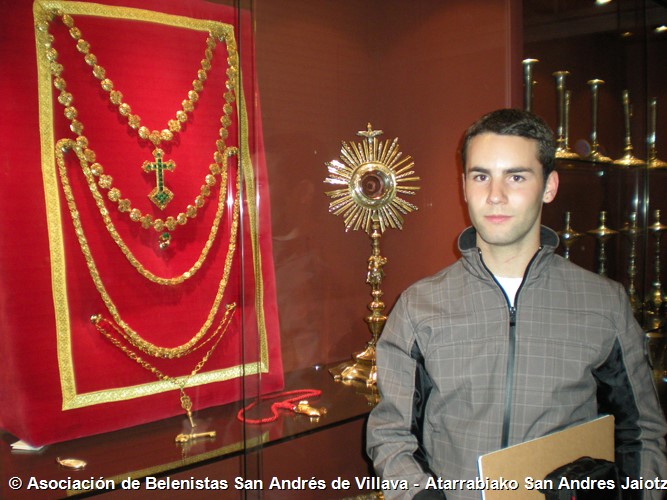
x: 160, y: 194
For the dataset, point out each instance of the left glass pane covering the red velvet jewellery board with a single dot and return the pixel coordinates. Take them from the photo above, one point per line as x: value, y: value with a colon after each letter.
x: 133, y: 158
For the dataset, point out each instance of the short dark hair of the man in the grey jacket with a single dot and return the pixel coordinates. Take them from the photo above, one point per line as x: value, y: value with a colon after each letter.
x: 519, y: 123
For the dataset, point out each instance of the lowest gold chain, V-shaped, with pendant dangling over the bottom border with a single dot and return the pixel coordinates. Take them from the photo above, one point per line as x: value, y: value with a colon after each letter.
x: 180, y: 382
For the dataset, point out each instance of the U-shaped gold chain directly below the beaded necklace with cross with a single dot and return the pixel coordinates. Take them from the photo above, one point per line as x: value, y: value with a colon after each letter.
x: 65, y: 145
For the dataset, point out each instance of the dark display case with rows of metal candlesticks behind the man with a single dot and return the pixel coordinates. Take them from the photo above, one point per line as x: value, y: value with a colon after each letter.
x: 608, y: 59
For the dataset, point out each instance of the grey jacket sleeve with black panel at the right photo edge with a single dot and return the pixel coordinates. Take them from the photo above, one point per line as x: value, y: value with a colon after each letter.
x: 626, y: 390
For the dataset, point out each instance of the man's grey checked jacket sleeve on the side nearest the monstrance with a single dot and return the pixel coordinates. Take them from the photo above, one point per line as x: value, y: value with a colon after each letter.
x: 396, y: 424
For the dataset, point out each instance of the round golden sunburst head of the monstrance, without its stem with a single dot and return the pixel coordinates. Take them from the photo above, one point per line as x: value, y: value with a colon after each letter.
x: 373, y: 174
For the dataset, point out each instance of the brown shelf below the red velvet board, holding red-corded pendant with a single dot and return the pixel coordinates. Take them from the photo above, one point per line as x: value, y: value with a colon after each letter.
x: 150, y: 450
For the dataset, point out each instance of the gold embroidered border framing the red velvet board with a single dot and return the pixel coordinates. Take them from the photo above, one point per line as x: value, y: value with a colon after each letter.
x: 71, y: 398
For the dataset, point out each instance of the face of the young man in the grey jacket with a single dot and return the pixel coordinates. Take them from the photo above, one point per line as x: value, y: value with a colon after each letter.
x: 504, y: 188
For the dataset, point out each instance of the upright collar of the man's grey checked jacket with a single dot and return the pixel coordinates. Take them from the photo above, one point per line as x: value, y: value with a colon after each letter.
x: 472, y: 257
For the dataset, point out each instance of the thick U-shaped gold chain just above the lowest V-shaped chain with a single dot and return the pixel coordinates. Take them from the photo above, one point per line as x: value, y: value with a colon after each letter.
x: 132, y: 336
